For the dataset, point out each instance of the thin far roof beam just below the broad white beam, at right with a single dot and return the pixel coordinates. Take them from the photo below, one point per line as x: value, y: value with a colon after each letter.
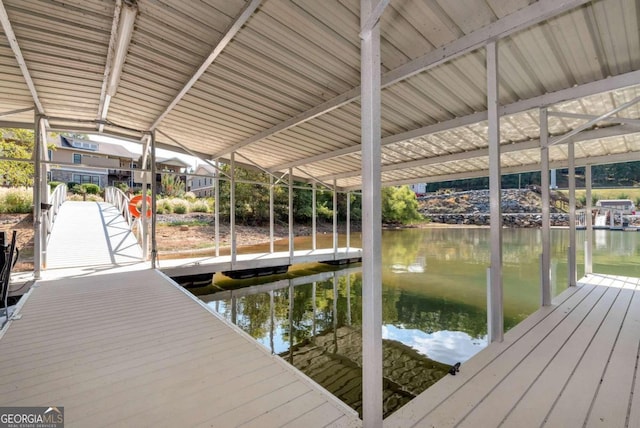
x: 596, y: 134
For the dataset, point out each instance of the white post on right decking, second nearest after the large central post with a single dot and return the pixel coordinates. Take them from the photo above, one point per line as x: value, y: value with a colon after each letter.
x: 495, y: 322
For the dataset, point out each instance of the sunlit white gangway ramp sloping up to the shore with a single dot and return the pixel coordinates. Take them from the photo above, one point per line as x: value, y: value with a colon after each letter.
x: 91, y: 234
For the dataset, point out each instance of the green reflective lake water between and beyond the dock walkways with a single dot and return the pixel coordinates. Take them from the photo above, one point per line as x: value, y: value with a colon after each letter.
x: 434, y: 304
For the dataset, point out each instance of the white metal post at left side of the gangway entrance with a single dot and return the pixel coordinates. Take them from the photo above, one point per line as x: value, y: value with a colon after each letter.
x: 38, y: 238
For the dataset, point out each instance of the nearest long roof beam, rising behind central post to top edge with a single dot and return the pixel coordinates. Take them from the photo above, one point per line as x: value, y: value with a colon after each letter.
x: 503, y: 27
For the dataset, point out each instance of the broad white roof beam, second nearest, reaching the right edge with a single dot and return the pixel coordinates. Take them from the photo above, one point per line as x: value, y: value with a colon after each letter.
x: 599, y: 86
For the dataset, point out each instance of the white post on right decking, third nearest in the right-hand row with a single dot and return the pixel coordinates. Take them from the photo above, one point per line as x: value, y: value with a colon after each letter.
x: 545, y: 257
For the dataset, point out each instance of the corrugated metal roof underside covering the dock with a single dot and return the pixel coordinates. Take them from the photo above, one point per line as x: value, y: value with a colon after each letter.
x: 278, y: 82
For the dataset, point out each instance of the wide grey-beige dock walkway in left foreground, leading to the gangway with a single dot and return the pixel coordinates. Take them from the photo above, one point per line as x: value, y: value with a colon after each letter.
x: 134, y: 349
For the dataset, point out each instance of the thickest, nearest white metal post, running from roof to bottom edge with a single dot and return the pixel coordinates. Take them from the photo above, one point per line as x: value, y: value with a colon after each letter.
x: 371, y: 220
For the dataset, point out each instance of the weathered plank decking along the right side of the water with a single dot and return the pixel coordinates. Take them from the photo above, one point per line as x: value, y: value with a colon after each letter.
x: 572, y: 364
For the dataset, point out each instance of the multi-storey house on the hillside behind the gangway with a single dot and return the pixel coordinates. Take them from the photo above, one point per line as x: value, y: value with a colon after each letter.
x: 83, y: 161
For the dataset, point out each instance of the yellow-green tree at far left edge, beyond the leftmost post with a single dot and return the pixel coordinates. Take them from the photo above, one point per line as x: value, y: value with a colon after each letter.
x: 17, y: 144
